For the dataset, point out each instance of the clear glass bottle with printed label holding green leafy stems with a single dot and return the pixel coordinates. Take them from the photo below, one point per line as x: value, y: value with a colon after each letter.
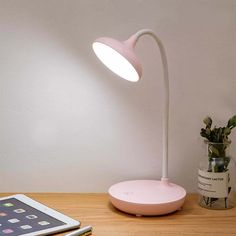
x: 216, y: 173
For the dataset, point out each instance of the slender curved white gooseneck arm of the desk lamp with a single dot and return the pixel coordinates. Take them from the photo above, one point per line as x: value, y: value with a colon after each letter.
x: 165, y: 100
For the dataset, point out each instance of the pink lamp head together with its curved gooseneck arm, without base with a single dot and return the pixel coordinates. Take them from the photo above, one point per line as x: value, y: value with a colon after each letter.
x: 120, y: 58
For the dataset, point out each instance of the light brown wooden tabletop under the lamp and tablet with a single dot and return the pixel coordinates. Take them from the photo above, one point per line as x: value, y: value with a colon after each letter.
x: 95, y: 210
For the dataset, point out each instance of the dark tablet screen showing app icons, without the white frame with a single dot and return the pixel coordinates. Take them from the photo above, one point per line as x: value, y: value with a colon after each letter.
x: 17, y: 218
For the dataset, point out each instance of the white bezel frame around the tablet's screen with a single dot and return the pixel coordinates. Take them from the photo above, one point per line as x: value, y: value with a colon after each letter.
x: 69, y: 222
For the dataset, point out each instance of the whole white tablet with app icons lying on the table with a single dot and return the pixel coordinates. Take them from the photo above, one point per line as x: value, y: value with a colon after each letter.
x: 21, y: 215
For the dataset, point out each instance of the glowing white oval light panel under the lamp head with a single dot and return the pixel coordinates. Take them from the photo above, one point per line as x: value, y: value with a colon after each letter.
x: 115, y: 62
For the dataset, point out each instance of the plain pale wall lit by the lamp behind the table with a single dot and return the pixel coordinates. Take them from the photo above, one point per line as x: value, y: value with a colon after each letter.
x: 67, y: 124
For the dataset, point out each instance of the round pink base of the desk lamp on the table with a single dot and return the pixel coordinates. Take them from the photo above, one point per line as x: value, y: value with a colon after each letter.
x: 147, y: 197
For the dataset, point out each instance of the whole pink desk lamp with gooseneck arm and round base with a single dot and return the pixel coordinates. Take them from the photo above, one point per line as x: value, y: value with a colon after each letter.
x: 141, y: 197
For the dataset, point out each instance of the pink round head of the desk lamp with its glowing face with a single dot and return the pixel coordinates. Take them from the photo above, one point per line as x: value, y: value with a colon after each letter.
x: 119, y: 57
